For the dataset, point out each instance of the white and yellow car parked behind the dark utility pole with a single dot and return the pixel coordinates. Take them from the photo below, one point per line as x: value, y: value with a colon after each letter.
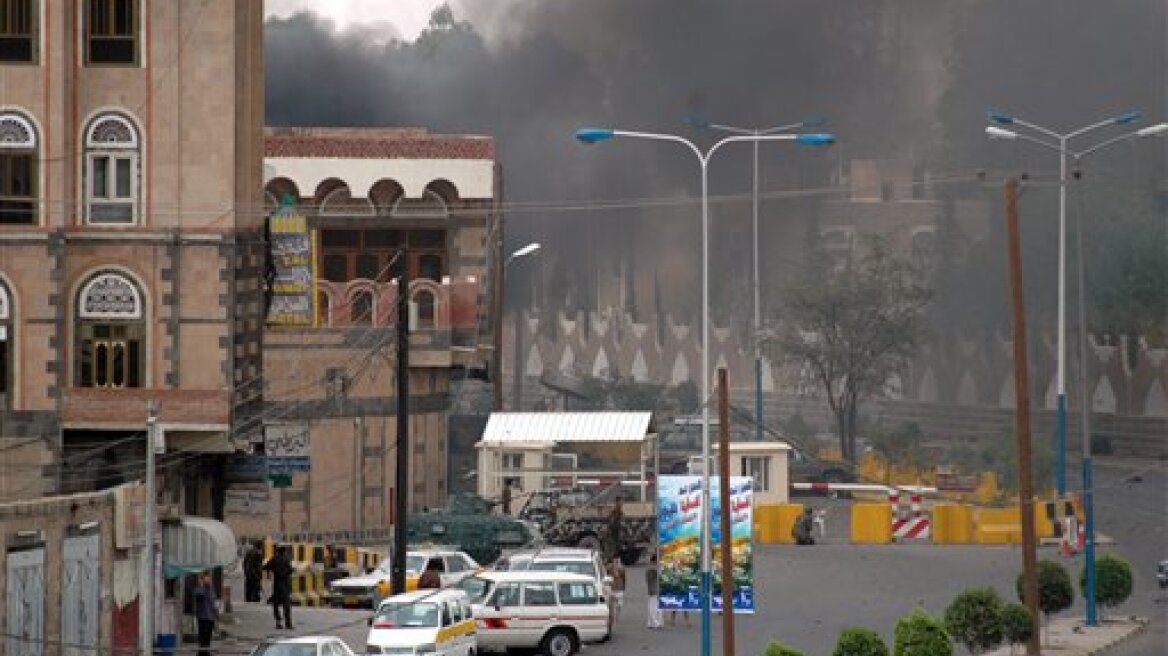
x: 369, y: 590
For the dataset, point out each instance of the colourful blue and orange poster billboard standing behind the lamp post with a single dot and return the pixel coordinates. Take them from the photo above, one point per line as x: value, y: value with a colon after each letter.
x: 679, y: 540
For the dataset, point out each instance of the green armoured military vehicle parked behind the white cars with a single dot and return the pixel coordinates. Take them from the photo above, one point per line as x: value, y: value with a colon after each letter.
x: 469, y: 525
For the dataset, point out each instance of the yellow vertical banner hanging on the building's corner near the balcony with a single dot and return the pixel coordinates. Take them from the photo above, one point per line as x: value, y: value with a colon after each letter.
x: 293, y: 288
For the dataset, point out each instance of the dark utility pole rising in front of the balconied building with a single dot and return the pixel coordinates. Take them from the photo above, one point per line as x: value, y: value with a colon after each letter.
x: 402, y: 458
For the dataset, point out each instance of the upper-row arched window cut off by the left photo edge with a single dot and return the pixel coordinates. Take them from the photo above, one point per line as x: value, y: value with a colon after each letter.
x: 19, y: 196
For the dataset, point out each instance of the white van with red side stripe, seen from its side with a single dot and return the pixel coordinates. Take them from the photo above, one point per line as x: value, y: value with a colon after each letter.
x: 555, y: 612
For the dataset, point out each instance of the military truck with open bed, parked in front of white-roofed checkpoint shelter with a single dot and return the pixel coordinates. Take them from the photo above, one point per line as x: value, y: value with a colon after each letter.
x: 583, y: 518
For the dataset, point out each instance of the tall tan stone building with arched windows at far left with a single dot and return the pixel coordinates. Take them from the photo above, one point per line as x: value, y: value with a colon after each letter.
x: 130, y: 242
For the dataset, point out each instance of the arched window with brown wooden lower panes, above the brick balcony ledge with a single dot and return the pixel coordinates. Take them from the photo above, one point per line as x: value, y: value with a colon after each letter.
x: 112, y: 333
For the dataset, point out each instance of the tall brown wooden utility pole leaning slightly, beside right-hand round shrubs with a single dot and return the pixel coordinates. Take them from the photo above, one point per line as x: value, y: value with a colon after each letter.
x: 1023, y: 417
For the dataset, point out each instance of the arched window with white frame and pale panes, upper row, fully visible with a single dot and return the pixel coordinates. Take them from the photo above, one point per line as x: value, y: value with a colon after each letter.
x: 112, y: 171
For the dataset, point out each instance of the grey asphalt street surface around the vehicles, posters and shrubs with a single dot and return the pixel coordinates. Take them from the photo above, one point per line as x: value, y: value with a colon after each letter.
x: 807, y: 596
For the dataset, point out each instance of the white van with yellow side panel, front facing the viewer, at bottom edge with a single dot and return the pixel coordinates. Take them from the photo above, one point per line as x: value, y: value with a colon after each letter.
x: 426, y: 622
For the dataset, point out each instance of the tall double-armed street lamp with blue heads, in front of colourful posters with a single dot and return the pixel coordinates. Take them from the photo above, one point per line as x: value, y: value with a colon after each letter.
x: 596, y: 135
